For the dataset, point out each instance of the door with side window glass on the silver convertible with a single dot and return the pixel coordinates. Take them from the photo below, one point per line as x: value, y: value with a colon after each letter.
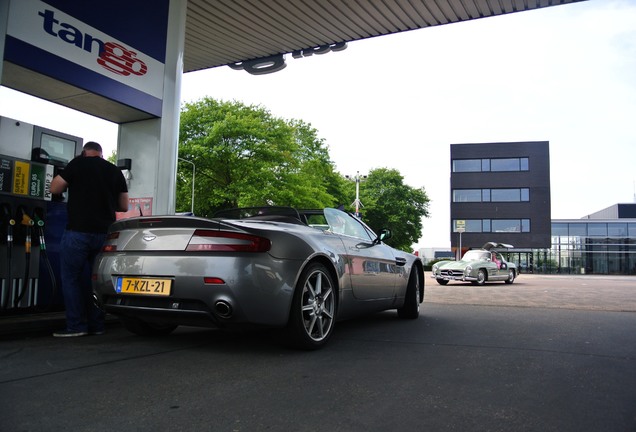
x: 373, y: 267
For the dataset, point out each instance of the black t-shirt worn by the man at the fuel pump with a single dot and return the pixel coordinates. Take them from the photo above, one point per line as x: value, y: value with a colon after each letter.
x: 94, y: 185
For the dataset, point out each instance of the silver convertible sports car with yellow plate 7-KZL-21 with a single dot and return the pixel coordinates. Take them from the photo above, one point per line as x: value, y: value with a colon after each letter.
x: 301, y: 270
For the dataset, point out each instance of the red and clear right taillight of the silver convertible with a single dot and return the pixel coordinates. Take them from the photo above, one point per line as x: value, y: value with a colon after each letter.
x: 223, y: 241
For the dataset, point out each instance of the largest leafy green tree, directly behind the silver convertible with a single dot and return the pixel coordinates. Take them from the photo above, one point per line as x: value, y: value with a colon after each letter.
x: 245, y: 157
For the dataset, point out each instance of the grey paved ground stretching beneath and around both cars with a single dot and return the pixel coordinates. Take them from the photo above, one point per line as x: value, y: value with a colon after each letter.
x: 544, y: 354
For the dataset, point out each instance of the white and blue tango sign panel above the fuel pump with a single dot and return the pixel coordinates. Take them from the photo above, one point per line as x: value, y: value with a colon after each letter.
x: 38, y: 30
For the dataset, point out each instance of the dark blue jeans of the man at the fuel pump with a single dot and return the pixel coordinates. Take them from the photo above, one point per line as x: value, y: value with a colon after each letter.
x: 78, y: 252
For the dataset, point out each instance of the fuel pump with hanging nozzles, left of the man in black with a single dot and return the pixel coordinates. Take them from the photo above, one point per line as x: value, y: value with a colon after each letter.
x: 33, y: 220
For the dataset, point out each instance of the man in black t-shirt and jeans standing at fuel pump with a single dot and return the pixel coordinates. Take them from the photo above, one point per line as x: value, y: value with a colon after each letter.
x: 96, y: 190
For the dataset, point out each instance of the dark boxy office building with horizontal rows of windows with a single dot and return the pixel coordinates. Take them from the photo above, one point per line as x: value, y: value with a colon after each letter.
x: 486, y: 221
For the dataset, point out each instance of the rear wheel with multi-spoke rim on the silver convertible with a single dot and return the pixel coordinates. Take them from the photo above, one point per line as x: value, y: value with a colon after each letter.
x: 313, y: 313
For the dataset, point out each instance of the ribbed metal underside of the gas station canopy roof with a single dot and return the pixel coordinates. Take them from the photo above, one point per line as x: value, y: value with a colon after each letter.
x: 219, y: 32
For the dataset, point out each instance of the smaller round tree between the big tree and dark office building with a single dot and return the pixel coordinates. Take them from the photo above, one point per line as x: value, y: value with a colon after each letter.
x: 389, y: 203
